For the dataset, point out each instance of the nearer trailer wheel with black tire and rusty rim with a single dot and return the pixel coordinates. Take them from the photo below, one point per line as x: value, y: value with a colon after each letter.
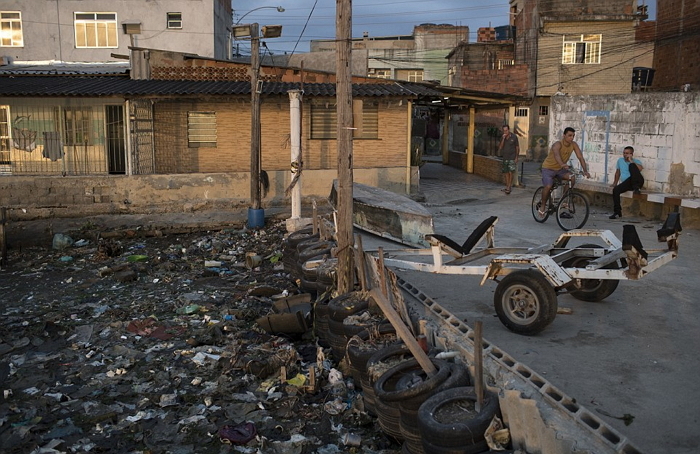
x: 525, y: 301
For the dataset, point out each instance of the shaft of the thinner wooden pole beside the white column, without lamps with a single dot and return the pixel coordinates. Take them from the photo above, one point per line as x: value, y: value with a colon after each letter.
x: 254, y: 117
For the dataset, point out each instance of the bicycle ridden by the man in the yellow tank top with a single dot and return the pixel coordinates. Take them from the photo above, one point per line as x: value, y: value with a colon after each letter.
x: 570, y: 207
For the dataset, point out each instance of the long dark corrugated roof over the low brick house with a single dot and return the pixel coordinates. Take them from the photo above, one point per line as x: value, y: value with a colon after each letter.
x: 113, y: 86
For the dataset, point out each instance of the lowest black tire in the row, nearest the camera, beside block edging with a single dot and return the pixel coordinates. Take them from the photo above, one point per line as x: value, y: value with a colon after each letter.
x: 456, y: 433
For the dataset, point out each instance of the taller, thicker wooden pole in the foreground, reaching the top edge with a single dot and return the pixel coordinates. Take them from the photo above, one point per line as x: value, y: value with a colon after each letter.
x: 343, y: 95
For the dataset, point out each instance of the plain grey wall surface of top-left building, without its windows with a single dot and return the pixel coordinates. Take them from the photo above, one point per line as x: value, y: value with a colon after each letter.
x: 49, y: 33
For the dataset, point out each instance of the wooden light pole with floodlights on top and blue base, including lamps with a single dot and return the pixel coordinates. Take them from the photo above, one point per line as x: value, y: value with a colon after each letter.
x: 256, y: 215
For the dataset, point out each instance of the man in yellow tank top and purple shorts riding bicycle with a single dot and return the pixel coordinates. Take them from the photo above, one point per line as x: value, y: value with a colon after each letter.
x: 556, y: 165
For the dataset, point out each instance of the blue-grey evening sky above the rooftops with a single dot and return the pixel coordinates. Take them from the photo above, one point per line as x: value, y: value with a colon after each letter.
x: 304, y: 20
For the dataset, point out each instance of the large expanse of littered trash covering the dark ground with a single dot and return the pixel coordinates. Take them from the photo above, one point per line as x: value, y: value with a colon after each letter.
x: 137, y: 343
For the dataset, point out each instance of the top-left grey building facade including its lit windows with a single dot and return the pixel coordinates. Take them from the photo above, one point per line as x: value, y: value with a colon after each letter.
x: 97, y: 30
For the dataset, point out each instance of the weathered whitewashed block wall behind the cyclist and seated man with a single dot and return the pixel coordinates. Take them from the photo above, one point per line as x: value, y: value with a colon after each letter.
x: 662, y: 127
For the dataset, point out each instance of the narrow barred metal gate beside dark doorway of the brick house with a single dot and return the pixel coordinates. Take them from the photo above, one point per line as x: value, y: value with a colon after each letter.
x: 142, y: 137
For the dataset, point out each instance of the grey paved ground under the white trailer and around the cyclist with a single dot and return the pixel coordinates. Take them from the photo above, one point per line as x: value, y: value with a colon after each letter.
x: 634, y: 353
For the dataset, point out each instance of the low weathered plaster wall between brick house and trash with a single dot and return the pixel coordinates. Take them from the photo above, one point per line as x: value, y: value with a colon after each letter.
x: 36, y: 197
